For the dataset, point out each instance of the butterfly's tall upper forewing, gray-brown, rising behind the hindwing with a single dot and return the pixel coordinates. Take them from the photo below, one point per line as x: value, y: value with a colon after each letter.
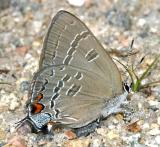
x: 70, y: 42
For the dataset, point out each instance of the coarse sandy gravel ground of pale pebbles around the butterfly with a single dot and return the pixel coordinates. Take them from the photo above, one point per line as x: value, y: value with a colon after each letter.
x: 23, y: 24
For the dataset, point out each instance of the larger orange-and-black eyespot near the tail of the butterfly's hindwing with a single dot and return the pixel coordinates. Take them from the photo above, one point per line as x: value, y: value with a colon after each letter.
x: 36, y: 108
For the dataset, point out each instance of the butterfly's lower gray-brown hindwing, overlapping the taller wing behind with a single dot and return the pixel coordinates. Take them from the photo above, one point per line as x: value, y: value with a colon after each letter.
x: 69, y: 95
